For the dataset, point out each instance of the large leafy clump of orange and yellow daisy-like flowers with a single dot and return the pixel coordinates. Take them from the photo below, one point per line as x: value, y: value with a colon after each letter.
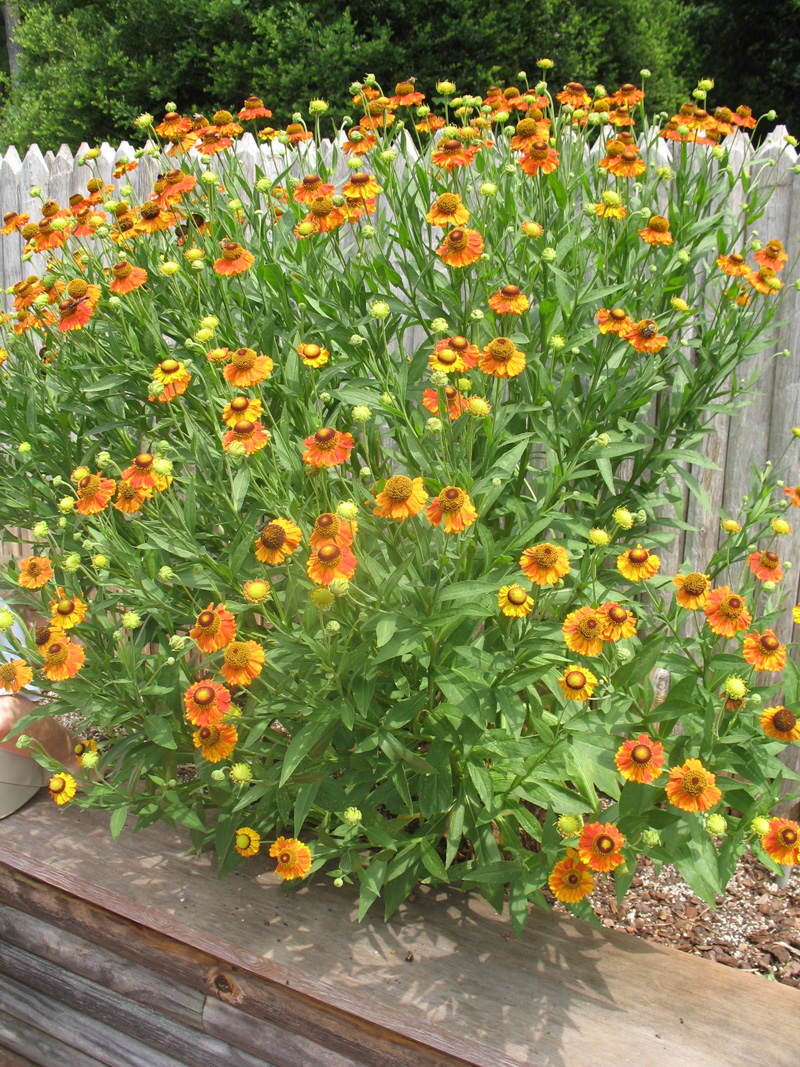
x: 341, y: 481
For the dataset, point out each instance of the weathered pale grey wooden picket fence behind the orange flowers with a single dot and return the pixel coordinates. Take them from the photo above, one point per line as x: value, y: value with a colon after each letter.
x: 756, y: 435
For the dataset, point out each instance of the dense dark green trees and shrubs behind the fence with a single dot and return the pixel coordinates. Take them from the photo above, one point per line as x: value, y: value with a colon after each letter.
x: 90, y: 67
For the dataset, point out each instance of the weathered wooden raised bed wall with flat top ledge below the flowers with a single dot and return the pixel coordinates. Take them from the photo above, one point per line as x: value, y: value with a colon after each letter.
x: 136, y: 955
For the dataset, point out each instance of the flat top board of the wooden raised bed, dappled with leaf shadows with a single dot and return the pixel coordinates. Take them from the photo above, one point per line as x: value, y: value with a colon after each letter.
x: 470, y: 992
